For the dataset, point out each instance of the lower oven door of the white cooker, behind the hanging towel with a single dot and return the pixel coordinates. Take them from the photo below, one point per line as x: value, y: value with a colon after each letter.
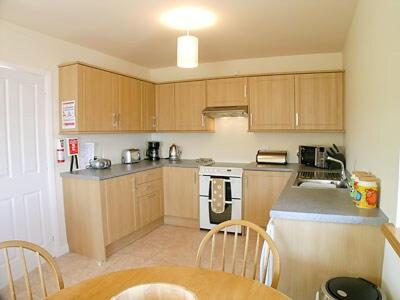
x: 208, y: 219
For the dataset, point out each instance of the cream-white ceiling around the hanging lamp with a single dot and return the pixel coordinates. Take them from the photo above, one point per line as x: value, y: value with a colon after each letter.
x: 130, y: 29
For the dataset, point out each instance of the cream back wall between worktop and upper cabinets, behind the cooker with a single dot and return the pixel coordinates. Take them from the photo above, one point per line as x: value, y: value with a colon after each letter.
x: 231, y: 142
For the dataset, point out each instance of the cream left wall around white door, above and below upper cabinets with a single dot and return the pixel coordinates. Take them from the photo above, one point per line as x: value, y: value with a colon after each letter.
x: 27, y: 48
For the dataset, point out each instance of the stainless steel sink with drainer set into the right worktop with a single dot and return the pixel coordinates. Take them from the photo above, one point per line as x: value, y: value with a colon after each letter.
x: 318, y: 179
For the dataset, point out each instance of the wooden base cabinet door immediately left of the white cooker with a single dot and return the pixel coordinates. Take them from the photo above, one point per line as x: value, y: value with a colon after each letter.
x: 181, y: 197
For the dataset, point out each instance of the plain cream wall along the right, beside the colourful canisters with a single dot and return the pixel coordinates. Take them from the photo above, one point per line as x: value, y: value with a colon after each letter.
x: 372, y: 63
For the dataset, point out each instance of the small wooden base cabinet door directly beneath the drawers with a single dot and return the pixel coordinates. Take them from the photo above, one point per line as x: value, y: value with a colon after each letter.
x: 149, y: 208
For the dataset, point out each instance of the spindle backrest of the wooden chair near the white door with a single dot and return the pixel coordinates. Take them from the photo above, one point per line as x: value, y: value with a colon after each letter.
x: 40, y: 253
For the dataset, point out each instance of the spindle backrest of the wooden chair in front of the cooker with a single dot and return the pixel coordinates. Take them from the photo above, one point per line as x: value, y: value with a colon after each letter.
x: 268, y: 249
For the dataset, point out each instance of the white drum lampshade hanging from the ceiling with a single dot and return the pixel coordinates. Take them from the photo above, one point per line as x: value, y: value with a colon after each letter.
x: 187, y: 51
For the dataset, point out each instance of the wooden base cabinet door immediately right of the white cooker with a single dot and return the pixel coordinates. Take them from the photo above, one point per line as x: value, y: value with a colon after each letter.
x: 261, y: 190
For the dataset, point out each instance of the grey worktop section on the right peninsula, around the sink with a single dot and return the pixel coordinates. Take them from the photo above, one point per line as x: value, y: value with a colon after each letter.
x: 323, y: 205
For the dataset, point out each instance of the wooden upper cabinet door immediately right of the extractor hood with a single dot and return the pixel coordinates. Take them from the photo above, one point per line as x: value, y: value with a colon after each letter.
x: 271, y: 102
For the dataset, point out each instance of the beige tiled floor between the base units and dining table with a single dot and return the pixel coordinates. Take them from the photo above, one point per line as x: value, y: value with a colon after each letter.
x: 167, y: 245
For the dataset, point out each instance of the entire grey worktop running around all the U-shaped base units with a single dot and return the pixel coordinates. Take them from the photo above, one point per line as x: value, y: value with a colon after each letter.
x: 324, y: 205
